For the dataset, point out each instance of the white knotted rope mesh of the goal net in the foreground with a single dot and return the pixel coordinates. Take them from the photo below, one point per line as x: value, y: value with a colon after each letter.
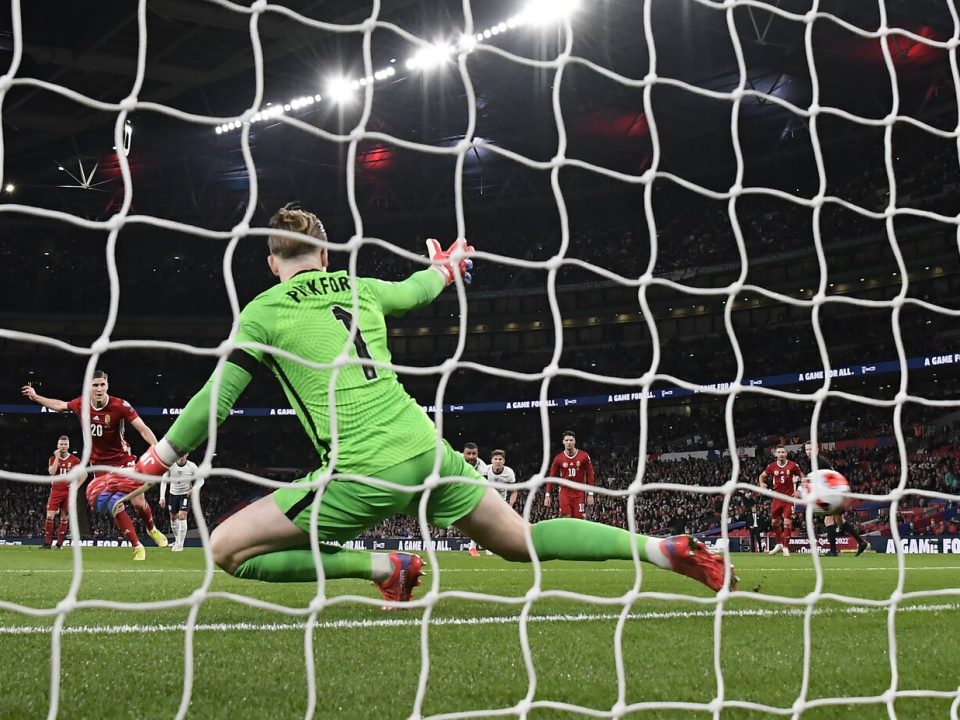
x: 557, y: 67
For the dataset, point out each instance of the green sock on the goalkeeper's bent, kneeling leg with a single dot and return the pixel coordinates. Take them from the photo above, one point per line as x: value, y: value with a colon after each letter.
x: 298, y: 566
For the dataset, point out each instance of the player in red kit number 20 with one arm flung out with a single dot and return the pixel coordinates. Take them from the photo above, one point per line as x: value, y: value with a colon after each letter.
x: 109, y: 417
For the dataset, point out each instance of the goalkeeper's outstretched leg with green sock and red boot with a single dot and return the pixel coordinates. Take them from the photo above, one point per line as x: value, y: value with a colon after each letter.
x: 494, y: 524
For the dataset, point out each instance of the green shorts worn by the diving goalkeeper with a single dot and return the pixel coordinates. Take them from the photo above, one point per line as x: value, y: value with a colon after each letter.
x: 348, y: 507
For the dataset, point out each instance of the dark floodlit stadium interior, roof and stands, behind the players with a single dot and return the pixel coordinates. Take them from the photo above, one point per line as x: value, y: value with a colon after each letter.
x: 54, y: 274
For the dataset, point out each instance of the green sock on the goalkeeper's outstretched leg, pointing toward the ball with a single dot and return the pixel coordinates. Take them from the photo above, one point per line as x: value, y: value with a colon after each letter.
x: 569, y: 539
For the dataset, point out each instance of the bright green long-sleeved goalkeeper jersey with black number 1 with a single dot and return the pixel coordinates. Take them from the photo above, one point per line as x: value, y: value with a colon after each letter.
x: 378, y: 425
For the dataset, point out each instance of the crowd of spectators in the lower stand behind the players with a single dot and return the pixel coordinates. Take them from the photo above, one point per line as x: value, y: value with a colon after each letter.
x: 611, y: 439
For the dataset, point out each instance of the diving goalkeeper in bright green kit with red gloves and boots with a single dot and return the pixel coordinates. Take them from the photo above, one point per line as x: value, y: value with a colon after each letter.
x: 381, y: 432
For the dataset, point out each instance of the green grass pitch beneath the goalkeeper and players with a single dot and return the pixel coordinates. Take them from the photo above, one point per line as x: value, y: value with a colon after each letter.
x: 249, y: 662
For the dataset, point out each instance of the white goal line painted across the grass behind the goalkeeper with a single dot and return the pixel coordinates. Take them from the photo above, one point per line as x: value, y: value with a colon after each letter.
x: 441, y: 622
